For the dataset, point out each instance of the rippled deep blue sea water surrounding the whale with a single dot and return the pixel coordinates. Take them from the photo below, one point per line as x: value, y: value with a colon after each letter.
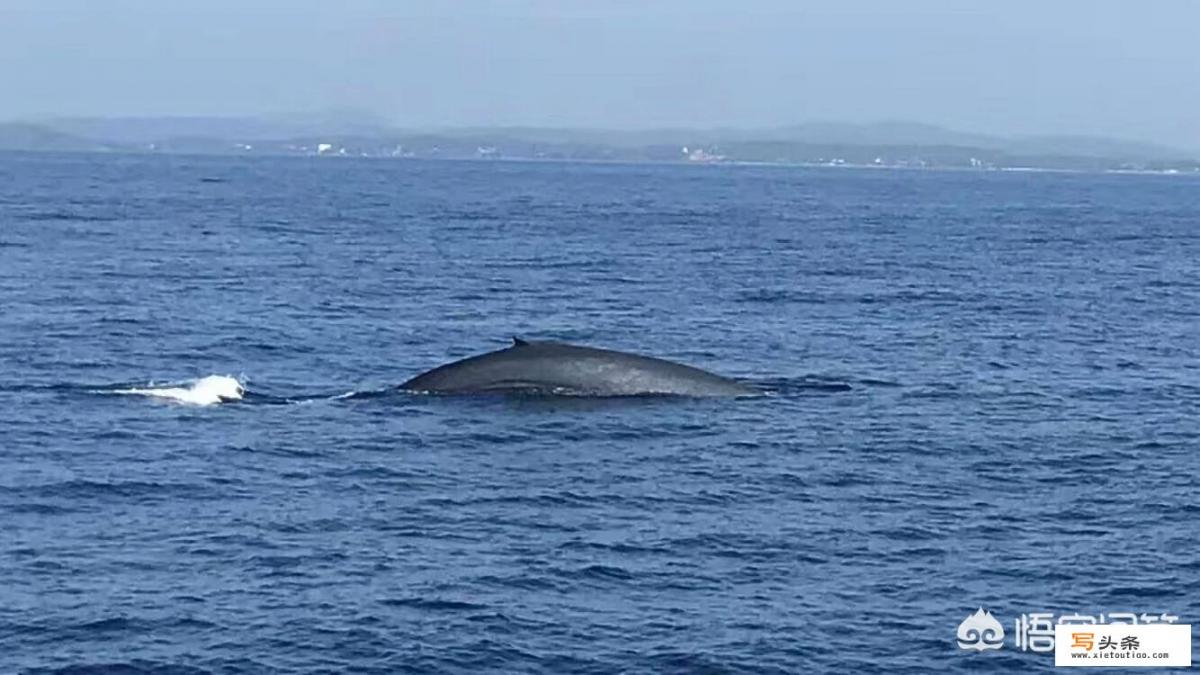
x: 985, y: 393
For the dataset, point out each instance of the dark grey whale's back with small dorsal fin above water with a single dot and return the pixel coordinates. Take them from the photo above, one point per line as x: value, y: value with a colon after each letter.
x: 542, y: 368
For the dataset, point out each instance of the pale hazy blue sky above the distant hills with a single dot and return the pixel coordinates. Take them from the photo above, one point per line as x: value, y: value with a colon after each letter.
x: 1106, y: 68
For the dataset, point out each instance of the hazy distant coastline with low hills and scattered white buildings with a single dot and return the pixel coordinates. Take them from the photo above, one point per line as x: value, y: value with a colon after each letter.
x: 881, y: 146
